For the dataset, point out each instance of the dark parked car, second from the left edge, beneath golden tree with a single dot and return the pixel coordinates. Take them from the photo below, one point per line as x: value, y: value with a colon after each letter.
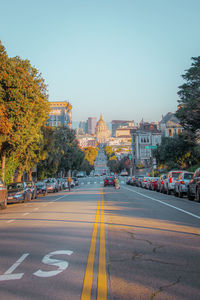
x: 18, y: 192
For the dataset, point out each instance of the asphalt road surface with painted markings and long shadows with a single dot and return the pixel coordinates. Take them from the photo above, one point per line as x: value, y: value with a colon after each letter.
x: 101, y: 243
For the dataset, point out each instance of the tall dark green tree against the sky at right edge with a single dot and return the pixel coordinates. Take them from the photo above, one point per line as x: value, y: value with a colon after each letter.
x: 189, y: 100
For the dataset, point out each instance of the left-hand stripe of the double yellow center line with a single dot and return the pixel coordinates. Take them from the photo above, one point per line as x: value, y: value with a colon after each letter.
x: 88, y: 278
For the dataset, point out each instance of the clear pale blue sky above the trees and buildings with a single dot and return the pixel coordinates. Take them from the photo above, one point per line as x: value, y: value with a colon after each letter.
x: 122, y: 58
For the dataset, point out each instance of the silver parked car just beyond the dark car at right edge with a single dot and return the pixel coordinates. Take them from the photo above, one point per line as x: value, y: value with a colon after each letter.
x: 181, y: 184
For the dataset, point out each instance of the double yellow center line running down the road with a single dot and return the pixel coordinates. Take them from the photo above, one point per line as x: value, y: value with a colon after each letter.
x: 102, y: 276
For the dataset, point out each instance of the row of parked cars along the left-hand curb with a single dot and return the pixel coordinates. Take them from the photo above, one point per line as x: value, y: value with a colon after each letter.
x: 25, y: 191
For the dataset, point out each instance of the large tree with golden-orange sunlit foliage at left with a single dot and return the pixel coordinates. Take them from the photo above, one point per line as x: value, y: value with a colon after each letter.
x: 23, y: 94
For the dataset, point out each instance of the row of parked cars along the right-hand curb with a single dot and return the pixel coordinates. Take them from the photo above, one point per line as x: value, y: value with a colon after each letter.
x: 180, y: 183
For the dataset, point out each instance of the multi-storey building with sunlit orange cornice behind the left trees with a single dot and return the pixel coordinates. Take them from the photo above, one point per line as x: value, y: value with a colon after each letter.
x: 60, y: 114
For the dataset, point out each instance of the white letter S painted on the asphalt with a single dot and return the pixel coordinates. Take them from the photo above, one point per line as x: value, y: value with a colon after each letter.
x: 61, y: 264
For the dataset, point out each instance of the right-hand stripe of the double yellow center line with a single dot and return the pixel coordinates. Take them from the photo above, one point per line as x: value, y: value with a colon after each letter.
x: 102, y: 276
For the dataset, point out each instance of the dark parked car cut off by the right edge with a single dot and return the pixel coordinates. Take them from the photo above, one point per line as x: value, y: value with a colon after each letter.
x: 194, y: 186
